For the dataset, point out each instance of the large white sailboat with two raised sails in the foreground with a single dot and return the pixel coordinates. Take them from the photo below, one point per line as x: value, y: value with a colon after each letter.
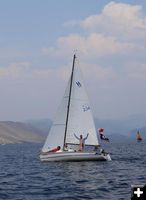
x: 73, y: 118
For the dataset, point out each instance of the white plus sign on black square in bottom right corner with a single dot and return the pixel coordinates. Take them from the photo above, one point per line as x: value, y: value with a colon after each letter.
x: 138, y: 192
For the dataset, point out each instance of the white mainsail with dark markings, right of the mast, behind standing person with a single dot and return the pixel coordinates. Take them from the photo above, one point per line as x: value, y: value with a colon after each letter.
x: 80, y: 119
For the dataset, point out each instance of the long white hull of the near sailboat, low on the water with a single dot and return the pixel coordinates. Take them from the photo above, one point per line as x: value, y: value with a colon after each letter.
x: 75, y: 156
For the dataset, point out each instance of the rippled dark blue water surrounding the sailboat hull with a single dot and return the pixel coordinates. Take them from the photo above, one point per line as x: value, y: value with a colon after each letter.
x: 24, y: 177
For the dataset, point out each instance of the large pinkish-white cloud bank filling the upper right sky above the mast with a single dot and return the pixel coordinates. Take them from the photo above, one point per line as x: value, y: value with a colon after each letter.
x: 120, y: 29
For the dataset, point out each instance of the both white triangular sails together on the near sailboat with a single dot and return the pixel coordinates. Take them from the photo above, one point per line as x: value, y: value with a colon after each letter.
x: 74, y: 115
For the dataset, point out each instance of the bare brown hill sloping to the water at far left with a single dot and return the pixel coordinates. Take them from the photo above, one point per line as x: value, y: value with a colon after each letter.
x: 17, y: 132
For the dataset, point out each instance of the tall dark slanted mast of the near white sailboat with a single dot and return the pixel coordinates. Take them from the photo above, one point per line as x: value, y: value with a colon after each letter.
x: 68, y: 106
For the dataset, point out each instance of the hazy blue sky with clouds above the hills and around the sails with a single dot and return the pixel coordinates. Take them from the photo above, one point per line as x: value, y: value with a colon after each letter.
x: 37, y: 42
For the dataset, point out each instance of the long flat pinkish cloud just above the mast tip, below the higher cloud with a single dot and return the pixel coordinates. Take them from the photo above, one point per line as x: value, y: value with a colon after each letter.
x: 90, y: 46
